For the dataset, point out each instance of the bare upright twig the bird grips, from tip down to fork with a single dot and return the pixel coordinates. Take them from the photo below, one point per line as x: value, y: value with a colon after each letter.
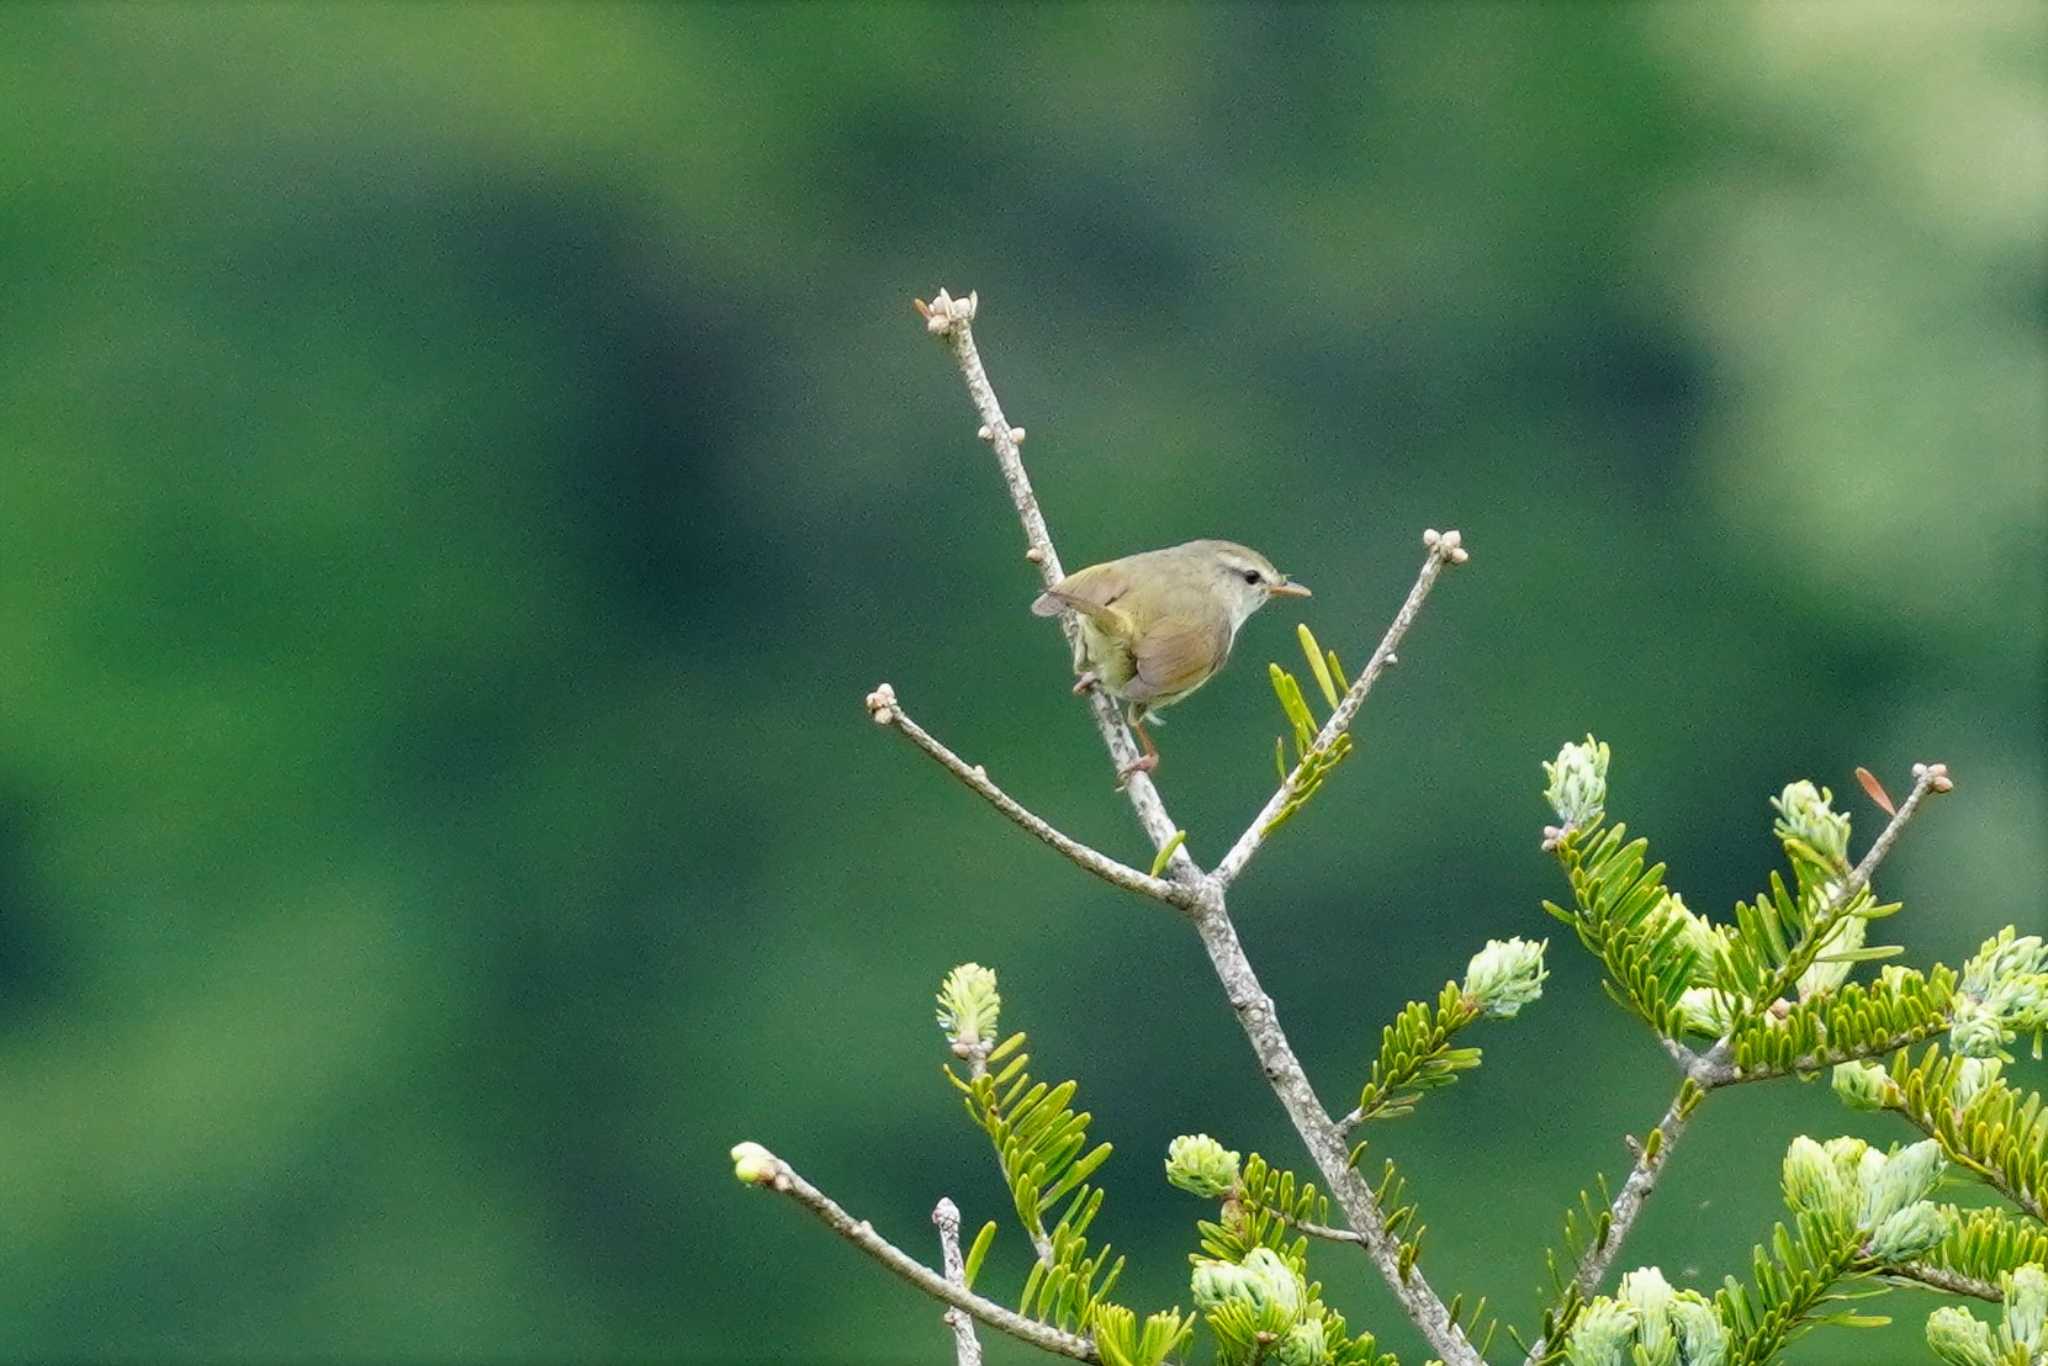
x: 953, y: 321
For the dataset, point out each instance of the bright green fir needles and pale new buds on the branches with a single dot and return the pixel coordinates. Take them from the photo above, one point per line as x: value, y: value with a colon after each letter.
x: 1773, y: 996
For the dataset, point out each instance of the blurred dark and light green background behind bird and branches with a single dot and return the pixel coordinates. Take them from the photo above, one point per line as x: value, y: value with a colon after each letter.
x: 468, y: 464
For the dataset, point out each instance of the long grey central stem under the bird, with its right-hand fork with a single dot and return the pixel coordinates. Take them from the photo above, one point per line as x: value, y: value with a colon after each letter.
x: 1220, y: 937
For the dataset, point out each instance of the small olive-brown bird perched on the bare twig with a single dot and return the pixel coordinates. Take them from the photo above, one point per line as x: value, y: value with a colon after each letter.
x: 1160, y: 626
